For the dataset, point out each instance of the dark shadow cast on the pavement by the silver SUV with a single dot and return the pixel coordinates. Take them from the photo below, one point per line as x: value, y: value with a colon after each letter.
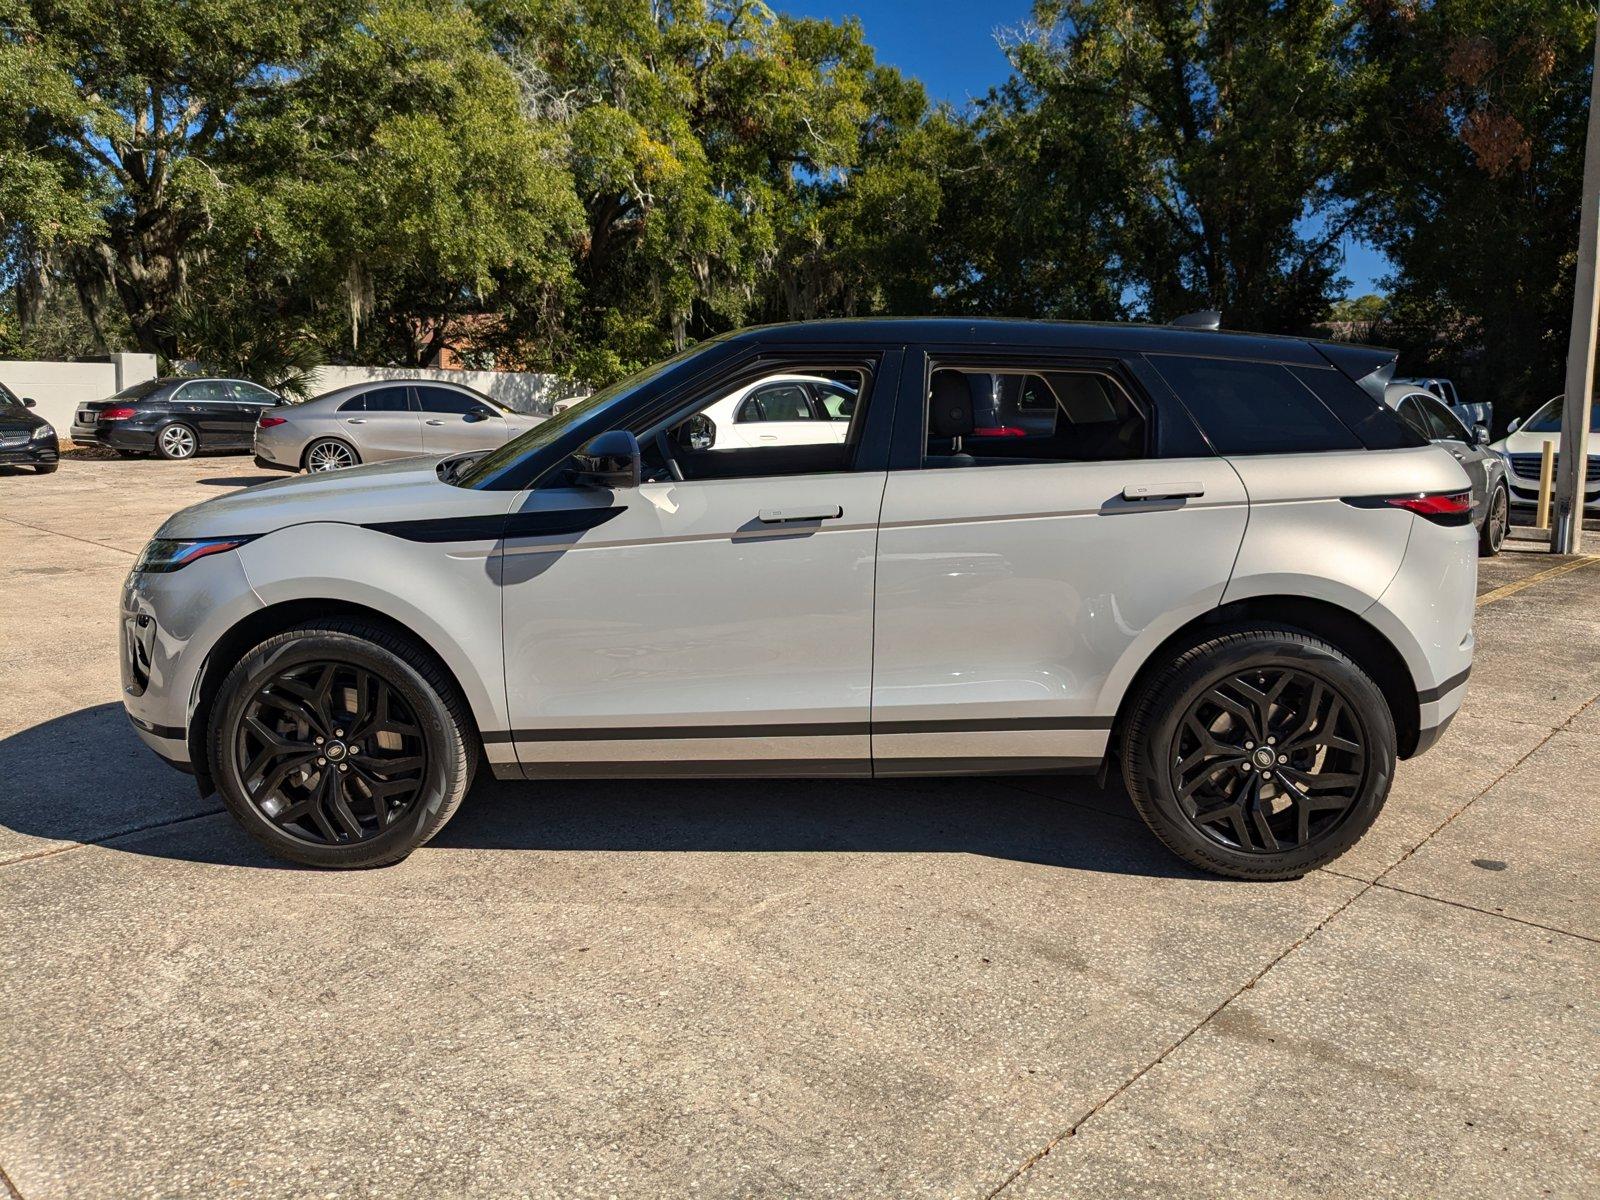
x: 87, y: 777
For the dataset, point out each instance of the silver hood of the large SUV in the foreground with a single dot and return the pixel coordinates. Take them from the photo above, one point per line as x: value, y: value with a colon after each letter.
x: 401, y: 490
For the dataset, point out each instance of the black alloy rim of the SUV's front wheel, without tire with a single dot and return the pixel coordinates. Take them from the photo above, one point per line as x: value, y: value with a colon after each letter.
x: 332, y: 753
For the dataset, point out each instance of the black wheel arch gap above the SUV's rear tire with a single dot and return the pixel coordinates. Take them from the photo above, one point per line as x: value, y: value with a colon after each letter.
x: 1340, y: 626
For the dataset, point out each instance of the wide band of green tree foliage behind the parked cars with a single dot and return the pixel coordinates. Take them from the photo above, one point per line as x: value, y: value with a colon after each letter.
x: 586, y: 186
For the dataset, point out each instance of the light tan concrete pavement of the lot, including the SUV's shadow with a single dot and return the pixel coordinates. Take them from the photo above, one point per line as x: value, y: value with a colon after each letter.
x: 926, y: 988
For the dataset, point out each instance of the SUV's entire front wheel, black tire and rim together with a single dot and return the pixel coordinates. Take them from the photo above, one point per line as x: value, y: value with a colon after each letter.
x: 406, y: 762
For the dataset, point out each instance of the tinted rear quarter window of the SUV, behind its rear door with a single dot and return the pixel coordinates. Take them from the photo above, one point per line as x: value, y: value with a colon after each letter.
x: 1254, y: 409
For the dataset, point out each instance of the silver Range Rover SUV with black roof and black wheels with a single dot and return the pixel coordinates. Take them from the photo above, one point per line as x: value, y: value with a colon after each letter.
x: 1214, y: 564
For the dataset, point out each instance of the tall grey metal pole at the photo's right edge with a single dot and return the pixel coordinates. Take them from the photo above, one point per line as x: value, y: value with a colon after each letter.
x: 1574, y: 462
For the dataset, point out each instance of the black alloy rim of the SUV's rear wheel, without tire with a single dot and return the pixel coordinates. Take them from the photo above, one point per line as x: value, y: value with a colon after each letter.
x: 1268, y: 761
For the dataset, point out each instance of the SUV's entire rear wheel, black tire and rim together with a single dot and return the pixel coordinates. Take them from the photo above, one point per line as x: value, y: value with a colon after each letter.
x: 1231, y: 814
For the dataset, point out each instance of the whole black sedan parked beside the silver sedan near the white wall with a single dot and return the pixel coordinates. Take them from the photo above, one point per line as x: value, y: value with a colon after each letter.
x: 175, y: 417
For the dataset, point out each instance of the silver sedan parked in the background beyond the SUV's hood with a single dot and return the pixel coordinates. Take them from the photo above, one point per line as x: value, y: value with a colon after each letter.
x: 385, y: 420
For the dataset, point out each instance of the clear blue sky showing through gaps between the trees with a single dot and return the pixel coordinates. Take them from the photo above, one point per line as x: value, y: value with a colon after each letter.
x: 951, y: 47
